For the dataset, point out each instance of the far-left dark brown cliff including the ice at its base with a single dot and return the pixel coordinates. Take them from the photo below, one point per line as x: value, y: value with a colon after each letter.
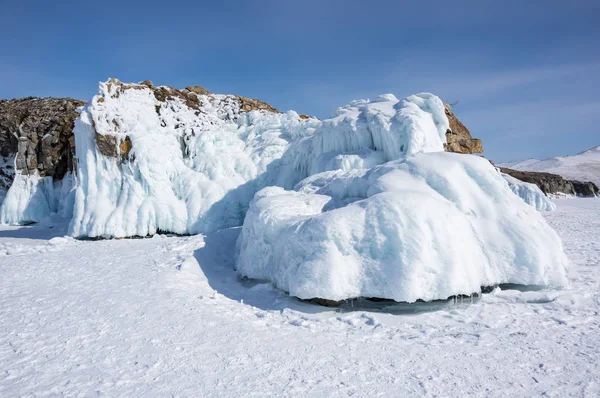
x: 37, y: 149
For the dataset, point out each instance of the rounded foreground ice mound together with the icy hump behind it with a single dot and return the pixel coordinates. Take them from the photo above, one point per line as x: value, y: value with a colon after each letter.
x: 384, y: 212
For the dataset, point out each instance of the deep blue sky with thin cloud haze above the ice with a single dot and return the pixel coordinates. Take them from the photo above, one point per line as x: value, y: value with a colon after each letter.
x: 526, y: 73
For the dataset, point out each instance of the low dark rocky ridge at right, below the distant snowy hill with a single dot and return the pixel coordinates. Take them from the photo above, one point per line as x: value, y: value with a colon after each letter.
x: 553, y: 183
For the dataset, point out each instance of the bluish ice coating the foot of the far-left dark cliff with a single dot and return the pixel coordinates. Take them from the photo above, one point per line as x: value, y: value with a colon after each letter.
x: 33, y: 198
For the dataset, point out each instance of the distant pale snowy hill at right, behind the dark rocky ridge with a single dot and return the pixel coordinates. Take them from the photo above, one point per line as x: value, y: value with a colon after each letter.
x: 584, y: 166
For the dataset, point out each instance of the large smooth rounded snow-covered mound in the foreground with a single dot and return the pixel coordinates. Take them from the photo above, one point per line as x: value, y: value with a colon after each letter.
x: 427, y: 227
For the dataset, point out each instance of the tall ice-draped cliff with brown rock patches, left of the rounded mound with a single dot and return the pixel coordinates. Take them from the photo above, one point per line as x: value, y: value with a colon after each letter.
x: 178, y: 164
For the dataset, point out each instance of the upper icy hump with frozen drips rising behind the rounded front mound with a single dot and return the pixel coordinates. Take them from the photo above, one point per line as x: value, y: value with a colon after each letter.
x: 369, y: 132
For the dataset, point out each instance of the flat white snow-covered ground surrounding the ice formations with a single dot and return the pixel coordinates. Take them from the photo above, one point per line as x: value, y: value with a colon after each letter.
x: 167, y: 316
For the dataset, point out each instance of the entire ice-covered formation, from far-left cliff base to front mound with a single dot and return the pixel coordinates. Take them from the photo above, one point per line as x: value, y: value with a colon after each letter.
x: 366, y: 203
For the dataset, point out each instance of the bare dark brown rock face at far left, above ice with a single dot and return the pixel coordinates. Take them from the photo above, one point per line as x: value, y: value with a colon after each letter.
x: 40, y: 132
